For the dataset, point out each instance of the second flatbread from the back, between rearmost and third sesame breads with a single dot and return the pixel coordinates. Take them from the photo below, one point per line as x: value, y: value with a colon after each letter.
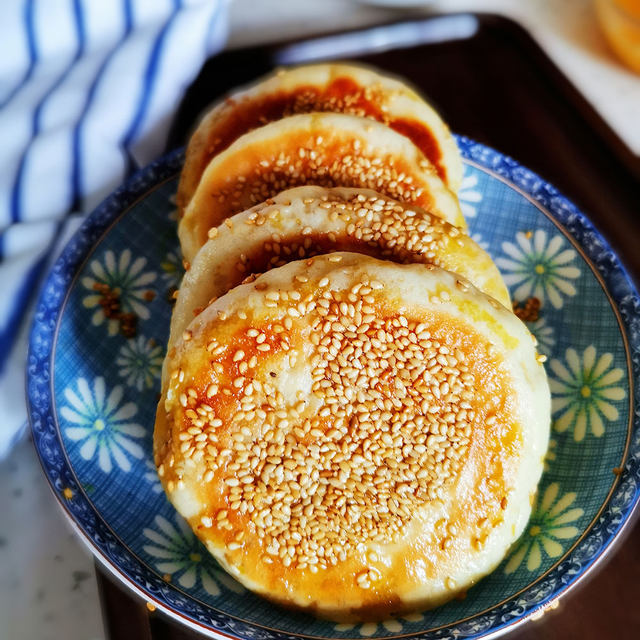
x: 324, y: 149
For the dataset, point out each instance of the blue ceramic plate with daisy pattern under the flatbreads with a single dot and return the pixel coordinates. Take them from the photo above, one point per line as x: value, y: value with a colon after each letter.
x: 93, y: 395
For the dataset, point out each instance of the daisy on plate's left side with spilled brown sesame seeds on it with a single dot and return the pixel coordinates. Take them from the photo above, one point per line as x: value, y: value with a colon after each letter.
x: 118, y: 285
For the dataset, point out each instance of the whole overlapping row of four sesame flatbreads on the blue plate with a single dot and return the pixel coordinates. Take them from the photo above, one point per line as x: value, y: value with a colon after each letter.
x: 352, y: 419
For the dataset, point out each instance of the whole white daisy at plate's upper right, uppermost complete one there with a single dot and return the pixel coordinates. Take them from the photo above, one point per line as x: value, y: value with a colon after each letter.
x: 539, y: 266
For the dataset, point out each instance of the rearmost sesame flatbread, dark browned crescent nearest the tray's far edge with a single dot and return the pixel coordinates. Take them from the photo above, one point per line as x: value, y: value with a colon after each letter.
x: 337, y: 88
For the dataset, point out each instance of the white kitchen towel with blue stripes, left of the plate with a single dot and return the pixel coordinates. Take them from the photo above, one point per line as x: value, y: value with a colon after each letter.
x: 88, y: 89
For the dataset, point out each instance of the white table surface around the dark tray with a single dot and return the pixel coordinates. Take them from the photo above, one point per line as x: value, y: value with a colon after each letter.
x: 47, y: 584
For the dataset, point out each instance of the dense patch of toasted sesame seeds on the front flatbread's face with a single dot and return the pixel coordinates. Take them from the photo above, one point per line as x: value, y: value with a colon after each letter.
x: 306, y: 471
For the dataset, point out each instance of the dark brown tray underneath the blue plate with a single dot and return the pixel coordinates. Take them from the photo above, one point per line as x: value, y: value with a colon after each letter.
x: 492, y: 82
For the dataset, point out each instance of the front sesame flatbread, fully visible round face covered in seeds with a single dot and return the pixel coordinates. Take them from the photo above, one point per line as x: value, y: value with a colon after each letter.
x: 352, y: 437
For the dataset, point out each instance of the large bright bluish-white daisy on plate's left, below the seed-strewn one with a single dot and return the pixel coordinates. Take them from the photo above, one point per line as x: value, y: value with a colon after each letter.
x: 103, y: 424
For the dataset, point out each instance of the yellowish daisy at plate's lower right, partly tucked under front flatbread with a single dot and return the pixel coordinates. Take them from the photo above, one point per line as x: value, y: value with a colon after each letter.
x: 548, y: 528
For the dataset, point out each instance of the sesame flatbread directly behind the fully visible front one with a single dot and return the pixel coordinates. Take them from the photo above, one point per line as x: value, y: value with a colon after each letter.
x: 307, y: 221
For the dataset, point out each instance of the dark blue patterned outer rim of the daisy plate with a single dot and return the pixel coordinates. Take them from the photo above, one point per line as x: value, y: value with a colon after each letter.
x: 559, y: 209
